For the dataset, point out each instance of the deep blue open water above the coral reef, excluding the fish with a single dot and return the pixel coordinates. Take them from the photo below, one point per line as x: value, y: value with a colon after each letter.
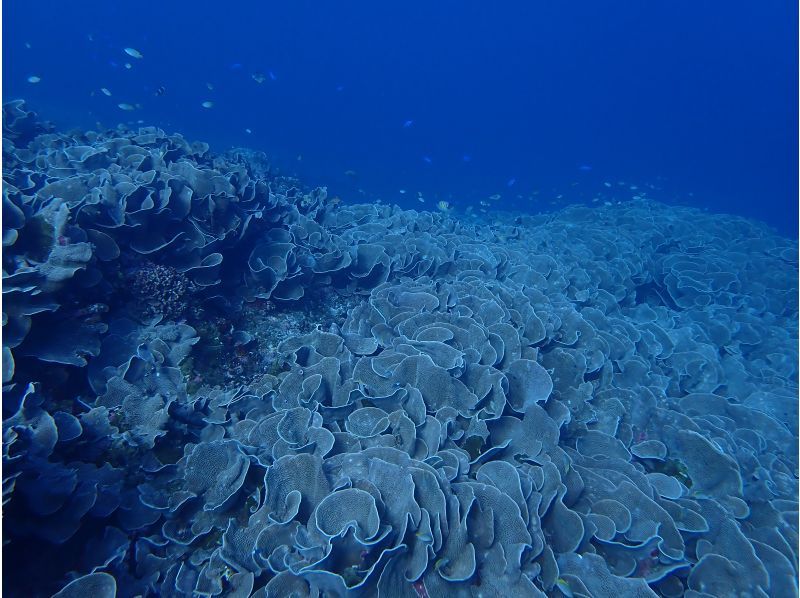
x: 696, y: 98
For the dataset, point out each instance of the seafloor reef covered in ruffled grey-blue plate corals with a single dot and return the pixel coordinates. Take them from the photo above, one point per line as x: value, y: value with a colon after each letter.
x: 218, y: 382
